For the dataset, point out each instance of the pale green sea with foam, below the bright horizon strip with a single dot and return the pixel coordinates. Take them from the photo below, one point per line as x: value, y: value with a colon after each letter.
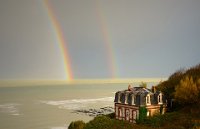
x: 54, y: 106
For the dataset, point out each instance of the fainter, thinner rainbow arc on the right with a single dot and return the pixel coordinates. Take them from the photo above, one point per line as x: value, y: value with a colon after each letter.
x: 107, y: 41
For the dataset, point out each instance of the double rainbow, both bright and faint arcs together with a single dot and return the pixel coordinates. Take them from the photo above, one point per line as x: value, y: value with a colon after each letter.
x: 62, y: 42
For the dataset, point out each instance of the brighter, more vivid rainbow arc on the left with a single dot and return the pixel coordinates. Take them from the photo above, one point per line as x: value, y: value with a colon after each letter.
x: 61, y: 40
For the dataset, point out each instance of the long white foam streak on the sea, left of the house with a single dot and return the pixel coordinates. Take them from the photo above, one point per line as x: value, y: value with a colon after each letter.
x: 76, y: 103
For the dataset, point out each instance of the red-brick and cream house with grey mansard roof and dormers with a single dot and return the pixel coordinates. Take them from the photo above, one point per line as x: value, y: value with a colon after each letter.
x: 128, y: 103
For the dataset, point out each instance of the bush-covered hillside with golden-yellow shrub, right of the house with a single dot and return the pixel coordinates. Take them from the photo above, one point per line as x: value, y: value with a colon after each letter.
x: 173, y: 84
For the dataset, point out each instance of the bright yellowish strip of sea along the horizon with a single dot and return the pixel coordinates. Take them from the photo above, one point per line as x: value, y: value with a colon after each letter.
x: 13, y: 82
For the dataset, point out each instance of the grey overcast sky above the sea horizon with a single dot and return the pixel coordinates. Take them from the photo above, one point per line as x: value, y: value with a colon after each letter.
x: 148, y: 38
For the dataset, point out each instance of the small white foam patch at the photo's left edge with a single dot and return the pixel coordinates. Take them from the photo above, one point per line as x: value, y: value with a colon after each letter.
x: 10, y: 108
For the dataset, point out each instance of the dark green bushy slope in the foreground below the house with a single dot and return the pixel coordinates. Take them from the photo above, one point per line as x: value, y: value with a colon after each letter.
x: 183, y: 119
